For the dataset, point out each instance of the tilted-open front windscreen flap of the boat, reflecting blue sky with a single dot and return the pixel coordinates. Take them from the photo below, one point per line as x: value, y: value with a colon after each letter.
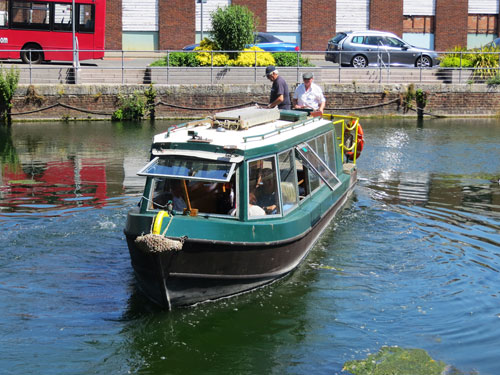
x: 191, y: 168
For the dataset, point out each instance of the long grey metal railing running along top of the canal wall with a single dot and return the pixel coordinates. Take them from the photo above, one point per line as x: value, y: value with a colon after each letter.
x: 135, y: 67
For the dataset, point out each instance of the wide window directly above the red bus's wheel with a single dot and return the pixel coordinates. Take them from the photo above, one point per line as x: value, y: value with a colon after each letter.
x: 30, y: 15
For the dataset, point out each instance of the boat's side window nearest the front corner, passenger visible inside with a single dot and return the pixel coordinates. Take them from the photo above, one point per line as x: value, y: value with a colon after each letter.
x: 263, y: 197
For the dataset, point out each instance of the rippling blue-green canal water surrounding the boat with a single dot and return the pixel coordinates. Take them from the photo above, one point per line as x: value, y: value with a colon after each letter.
x: 413, y: 260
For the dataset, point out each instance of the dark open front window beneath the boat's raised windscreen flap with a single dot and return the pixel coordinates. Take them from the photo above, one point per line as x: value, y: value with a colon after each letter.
x: 218, y: 198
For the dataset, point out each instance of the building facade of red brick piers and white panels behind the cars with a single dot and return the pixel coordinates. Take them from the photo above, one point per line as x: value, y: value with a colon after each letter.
x: 436, y: 24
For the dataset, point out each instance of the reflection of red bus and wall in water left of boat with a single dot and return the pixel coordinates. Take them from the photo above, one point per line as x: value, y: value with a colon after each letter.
x: 48, y: 167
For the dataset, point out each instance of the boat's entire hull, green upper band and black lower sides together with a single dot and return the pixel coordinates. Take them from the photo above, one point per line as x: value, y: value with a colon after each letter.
x: 220, y: 260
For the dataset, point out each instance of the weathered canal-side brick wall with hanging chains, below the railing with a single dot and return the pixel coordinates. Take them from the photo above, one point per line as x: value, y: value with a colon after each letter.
x: 197, y: 100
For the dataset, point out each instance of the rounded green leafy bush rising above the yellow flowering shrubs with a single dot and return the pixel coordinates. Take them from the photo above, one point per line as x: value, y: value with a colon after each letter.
x: 233, y: 27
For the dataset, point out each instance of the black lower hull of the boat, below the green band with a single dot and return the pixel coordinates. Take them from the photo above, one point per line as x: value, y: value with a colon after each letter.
x: 208, y: 270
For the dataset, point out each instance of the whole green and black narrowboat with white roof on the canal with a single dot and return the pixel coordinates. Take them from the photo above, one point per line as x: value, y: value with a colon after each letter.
x: 237, y: 200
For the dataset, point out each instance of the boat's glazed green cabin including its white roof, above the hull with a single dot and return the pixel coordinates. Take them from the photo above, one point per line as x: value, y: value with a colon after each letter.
x: 244, y: 165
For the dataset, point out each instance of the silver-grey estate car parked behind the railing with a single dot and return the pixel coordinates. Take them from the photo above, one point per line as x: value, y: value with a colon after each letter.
x: 362, y: 48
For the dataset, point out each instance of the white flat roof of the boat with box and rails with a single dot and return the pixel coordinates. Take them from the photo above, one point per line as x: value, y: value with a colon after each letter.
x: 218, y: 130
